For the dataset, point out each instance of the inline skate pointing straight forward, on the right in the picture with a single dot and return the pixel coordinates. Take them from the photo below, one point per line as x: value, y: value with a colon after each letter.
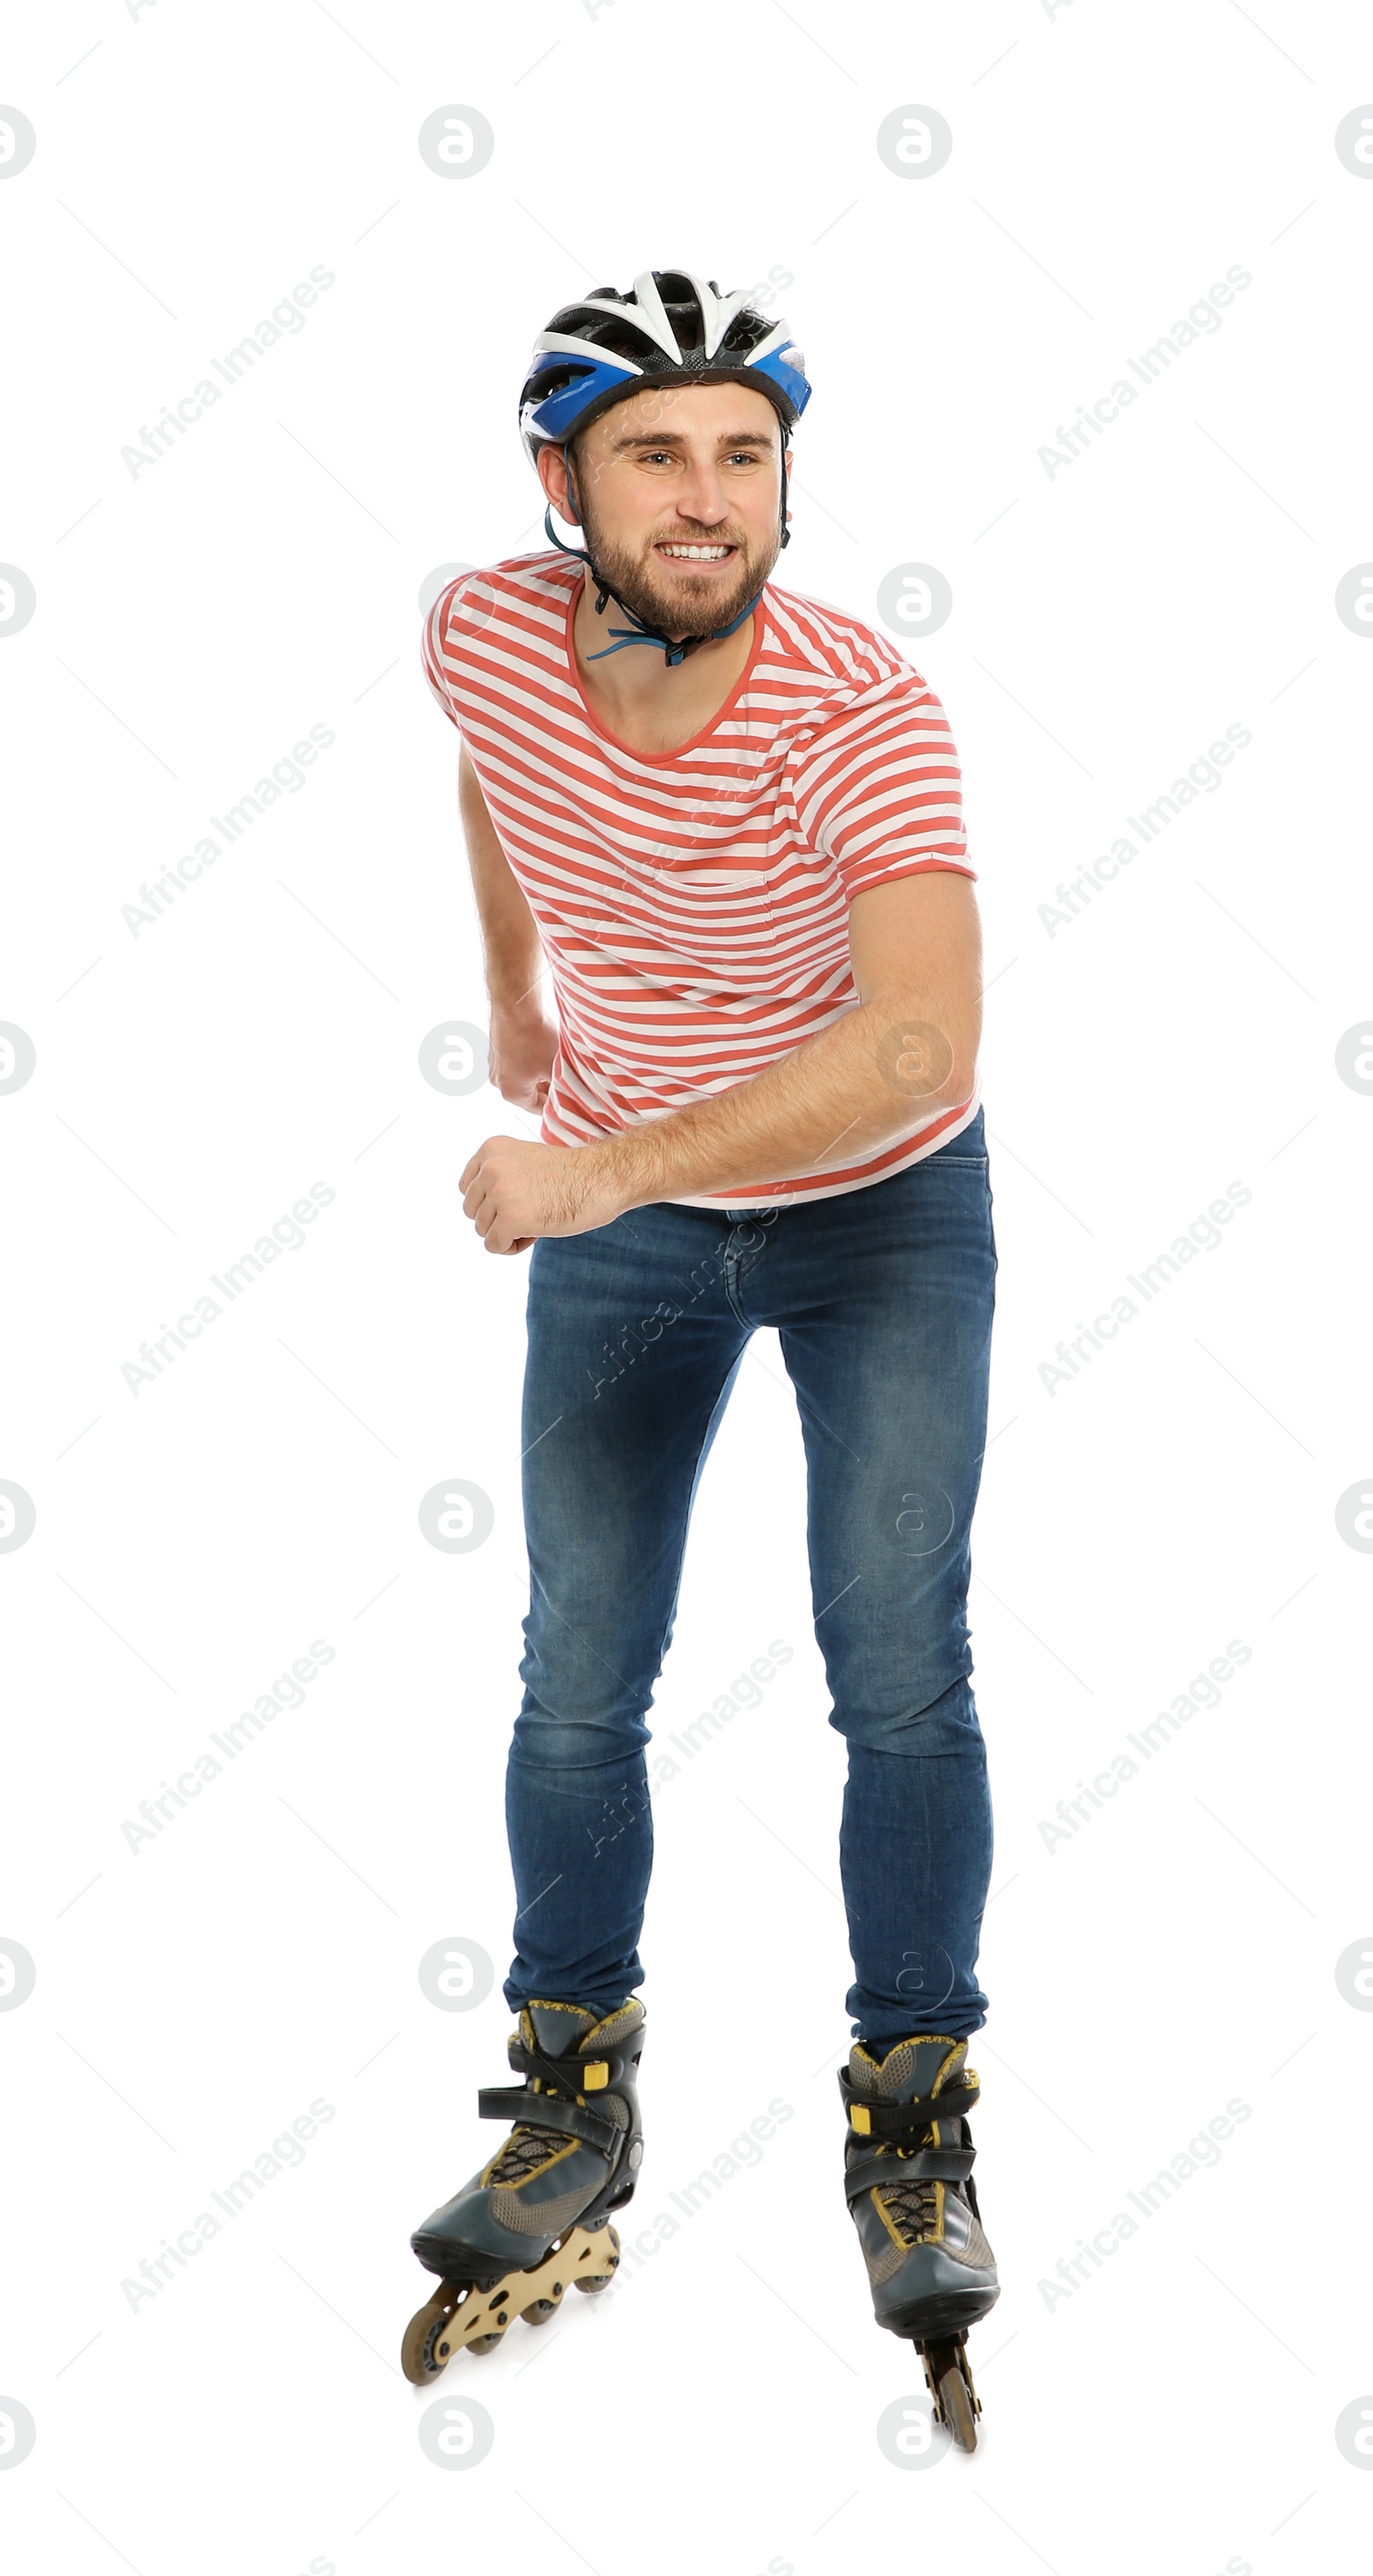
x: 911, y: 2191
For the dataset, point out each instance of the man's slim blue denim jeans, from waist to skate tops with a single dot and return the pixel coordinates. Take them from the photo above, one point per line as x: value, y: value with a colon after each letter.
x: 882, y: 1300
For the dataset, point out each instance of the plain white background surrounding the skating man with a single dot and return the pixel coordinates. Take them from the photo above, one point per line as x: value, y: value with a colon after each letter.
x: 192, y: 1083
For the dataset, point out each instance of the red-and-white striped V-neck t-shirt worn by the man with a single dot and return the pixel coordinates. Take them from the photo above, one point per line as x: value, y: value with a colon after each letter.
x: 694, y: 905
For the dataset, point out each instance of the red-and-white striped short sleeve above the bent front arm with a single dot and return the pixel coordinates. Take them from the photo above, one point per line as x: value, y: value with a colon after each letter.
x: 880, y: 790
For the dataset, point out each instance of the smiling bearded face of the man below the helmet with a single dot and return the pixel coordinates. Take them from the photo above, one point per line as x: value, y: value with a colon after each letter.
x: 681, y: 501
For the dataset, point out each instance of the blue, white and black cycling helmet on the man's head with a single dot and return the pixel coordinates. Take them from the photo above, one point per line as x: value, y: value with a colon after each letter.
x: 671, y: 328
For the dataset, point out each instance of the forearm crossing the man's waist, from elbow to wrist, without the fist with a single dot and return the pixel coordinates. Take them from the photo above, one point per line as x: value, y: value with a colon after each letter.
x: 831, y: 1101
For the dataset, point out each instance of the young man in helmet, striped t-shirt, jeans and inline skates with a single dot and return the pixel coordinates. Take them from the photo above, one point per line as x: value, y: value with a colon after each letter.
x: 730, y: 823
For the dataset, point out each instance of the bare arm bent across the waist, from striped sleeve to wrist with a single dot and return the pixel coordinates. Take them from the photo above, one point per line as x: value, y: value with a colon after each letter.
x: 903, y: 1055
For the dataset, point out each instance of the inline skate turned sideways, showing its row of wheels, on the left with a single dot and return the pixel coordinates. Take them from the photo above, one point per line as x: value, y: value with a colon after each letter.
x: 537, y: 2217
